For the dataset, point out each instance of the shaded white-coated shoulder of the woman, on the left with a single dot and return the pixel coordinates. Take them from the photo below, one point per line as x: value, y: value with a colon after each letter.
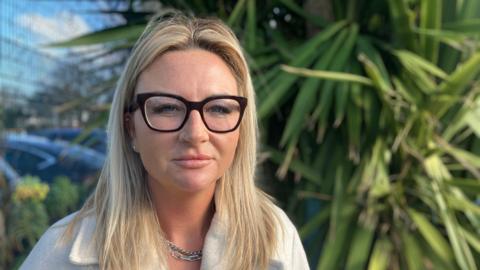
x: 53, y: 251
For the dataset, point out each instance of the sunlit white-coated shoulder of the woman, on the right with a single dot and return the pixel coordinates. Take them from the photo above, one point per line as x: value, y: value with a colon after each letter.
x: 289, y: 250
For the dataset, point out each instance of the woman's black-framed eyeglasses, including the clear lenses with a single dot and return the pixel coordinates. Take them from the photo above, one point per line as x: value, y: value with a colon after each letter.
x: 169, y: 113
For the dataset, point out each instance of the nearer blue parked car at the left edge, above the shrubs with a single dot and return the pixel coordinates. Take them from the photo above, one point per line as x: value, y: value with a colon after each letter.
x: 38, y: 156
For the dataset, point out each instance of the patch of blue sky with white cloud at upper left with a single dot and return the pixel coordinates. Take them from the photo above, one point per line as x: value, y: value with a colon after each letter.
x: 26, y: 25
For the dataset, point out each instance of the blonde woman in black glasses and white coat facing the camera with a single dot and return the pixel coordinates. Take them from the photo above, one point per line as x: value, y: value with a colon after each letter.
x: 177, y: 190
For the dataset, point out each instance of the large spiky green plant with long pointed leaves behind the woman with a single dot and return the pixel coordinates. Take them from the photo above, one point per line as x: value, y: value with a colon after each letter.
x: 375, y: 117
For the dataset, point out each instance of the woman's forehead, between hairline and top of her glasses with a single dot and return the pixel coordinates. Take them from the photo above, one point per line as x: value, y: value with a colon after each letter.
x: 193, y: 74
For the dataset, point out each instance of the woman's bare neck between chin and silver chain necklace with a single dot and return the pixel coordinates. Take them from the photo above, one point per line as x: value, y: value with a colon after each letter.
x: 184, y: 217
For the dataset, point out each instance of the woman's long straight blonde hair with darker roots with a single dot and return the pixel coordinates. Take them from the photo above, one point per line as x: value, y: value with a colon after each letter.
x: 125, y: 218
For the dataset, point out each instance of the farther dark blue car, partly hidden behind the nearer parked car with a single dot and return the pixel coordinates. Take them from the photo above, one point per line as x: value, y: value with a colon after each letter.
x: 95, y: 139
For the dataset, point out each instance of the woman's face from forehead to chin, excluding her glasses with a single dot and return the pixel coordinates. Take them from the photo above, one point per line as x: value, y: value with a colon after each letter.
x: 192, y: 158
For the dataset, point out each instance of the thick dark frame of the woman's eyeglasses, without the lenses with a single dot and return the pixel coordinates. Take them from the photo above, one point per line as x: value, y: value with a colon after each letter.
x: 140, y: 99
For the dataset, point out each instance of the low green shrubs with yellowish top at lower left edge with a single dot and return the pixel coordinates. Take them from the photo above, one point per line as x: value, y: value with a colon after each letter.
x: 29, y: 210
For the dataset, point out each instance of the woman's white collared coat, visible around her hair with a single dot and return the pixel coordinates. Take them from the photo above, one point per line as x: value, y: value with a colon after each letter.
x: 80, y: 253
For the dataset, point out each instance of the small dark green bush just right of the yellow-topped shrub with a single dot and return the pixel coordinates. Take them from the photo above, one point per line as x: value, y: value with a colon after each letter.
x: 62, y: 198
